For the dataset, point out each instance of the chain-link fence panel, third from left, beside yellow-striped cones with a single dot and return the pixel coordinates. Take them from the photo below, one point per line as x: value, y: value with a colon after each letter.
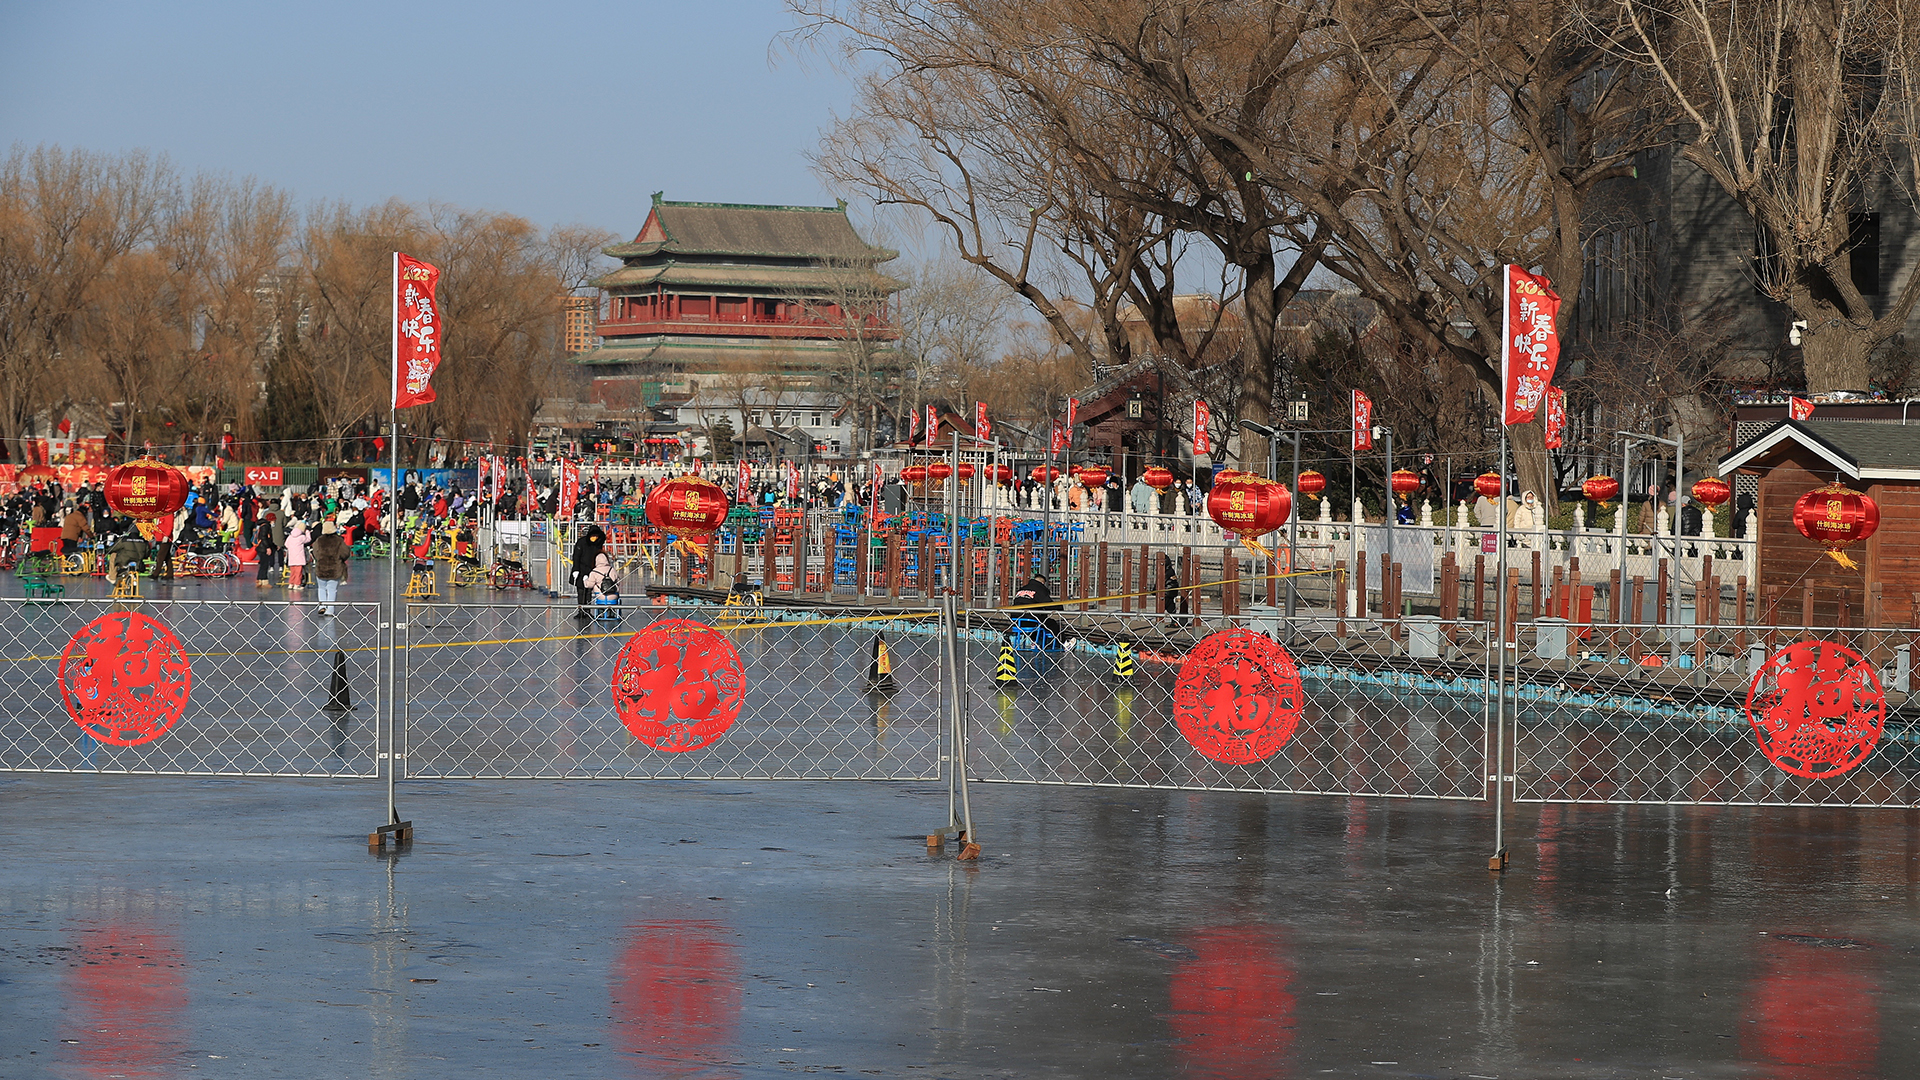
x: 1305, y: 706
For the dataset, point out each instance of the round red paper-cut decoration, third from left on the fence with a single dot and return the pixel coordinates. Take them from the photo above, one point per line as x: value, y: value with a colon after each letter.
x: 1237, y: 699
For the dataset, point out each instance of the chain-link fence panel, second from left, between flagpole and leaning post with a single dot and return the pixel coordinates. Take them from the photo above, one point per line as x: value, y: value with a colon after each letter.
x: 665, y: 693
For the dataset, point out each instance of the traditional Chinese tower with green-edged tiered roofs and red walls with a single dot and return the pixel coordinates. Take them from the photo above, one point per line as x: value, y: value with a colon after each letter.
x: 709, y: 289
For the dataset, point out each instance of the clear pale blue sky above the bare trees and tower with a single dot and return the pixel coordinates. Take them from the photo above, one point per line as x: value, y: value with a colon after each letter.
x: 562, y: 114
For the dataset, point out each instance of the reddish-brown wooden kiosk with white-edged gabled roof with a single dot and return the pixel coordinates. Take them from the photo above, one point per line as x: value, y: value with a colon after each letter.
x: 1798, y: 583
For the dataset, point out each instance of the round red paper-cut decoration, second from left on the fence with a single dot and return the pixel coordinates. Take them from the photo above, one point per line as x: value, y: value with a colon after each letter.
x: 679, y: 685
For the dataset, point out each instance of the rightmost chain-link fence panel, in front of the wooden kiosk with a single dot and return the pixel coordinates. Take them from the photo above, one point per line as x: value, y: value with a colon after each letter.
x: 1714, y: 716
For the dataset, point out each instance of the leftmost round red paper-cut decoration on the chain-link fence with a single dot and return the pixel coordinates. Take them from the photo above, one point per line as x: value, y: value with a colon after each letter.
x: 126, y: 679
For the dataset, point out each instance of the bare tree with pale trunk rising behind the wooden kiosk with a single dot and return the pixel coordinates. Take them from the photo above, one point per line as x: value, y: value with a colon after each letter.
x: 1802, y: 112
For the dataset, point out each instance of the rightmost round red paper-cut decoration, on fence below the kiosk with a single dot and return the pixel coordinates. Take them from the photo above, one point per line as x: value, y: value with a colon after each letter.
x: 1817, y: 710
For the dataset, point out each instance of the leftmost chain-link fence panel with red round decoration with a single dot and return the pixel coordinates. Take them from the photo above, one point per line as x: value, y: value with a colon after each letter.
x: 206, y: 689
